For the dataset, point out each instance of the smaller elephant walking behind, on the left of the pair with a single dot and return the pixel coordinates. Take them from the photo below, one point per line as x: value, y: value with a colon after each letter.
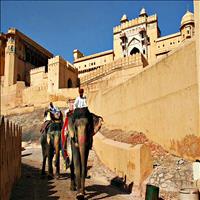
x: 50, y: 143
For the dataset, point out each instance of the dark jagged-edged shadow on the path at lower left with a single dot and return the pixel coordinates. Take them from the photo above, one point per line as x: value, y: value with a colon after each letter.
x: 32, y: 187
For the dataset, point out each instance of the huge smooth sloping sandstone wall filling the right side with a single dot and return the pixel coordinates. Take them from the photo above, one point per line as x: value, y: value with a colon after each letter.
x: 161, y: 101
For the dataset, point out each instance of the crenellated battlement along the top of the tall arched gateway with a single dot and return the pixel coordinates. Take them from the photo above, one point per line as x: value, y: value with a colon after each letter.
x: 134, y: 22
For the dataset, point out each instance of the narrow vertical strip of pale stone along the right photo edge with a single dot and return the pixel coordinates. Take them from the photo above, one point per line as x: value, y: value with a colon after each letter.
x: 197, y: 36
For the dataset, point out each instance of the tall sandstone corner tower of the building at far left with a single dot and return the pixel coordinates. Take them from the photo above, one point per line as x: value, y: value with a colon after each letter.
x: 10, y: 59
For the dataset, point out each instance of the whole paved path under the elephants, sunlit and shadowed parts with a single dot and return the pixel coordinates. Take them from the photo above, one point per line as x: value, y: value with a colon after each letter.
x: 32, y: 187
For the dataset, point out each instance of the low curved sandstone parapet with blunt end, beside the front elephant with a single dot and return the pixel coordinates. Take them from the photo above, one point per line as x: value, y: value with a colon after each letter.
x: 130, y: 162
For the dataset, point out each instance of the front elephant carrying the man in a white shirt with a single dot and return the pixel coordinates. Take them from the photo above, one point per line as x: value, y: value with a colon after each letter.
x: 81, y: 131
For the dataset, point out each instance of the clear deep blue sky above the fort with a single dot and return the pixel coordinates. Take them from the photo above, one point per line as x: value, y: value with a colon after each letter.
x: 62, y: 26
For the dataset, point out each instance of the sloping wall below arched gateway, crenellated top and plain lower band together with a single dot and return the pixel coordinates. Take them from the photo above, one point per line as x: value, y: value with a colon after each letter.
x: 114, y: 73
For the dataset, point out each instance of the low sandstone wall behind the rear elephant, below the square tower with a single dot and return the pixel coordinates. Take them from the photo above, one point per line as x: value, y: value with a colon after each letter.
x: 19, y: 96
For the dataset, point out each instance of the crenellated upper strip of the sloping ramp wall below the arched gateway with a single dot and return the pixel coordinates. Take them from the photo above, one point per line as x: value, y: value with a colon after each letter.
x: 133, y: 61
